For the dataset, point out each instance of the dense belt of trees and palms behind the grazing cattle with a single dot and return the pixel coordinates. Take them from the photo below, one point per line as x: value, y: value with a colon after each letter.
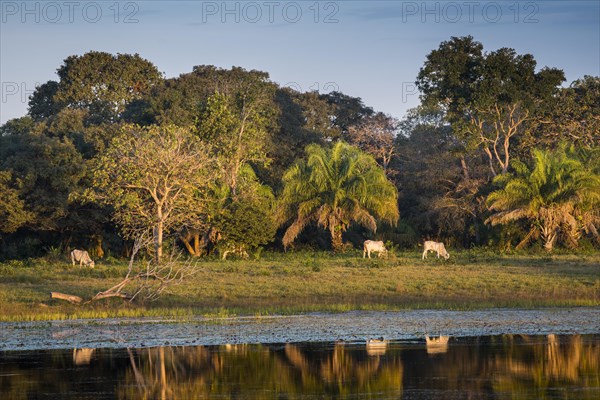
x: 481, y: 113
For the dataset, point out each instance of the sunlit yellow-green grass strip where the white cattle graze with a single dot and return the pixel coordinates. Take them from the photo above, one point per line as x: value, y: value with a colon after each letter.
x: 312, y: 281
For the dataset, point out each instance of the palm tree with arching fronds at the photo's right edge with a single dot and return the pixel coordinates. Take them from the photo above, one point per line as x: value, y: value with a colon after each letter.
x: 560, y: 197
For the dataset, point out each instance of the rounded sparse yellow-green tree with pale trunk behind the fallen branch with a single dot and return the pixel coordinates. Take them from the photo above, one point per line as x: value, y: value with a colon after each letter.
x: 151, y: 176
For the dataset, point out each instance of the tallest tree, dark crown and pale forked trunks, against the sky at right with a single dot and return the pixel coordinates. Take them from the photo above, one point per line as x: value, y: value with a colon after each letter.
x: 490, y: 99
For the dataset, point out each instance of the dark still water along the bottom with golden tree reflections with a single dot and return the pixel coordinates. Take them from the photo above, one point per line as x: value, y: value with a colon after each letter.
x: 498, y: 367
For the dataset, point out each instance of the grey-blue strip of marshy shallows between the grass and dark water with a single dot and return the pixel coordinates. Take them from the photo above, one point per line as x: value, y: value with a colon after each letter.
x: 355, y: 326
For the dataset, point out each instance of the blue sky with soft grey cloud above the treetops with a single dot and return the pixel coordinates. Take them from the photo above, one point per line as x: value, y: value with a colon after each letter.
x: 367, y: 49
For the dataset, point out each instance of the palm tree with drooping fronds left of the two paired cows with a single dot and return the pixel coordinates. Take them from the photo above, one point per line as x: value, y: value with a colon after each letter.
x: 335, y: 187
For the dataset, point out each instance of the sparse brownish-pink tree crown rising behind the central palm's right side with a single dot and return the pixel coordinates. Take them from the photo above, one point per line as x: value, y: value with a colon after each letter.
x: 376, y: 135
